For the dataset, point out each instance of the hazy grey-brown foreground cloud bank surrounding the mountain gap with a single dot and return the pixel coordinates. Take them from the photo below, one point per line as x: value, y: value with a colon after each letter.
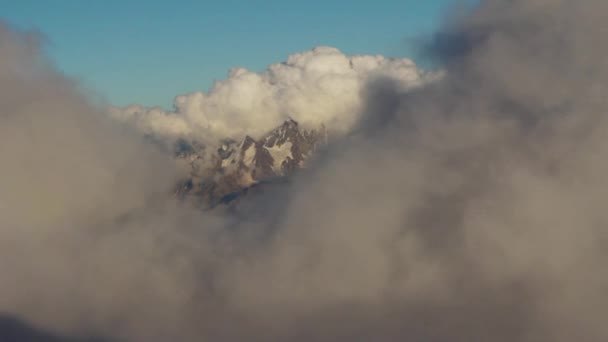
x: 471, y: 209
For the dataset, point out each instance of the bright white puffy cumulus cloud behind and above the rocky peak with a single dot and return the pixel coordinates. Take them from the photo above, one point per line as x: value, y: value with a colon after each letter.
x: 320, y: 86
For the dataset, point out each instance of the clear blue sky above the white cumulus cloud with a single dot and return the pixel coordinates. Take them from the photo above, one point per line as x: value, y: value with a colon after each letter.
x: 145, y: 51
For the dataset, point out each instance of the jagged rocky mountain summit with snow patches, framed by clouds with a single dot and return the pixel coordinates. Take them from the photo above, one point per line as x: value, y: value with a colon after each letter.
x: 232, y: 166
